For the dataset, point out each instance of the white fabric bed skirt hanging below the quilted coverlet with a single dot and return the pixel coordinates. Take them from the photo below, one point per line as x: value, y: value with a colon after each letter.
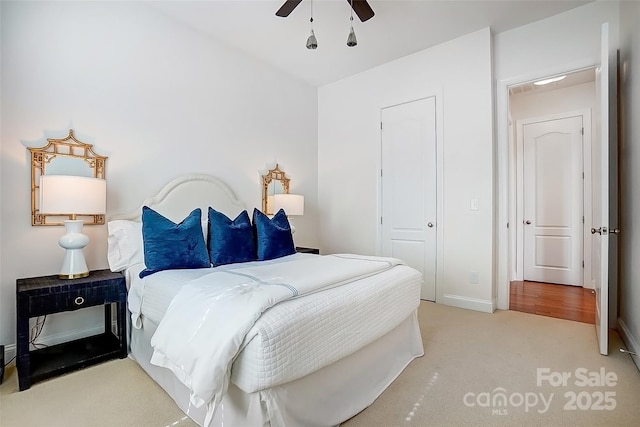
x: 326, y: 397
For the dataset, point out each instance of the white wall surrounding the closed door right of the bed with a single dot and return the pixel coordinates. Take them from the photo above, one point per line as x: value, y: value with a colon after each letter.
x: 349, y: 158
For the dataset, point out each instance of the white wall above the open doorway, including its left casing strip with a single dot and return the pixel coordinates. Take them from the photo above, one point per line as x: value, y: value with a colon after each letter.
x: 565, y: 42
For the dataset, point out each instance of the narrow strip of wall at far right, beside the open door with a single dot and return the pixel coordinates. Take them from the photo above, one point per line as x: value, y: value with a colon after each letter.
x: 629, y: 320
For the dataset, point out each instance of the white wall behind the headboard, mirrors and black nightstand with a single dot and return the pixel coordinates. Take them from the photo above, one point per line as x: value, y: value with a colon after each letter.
x: 158, y: 99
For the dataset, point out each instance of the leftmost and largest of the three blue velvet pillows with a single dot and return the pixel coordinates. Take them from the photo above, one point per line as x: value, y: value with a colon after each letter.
x: 168, y: 245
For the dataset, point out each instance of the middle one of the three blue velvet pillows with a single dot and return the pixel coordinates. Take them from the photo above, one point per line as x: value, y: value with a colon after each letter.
x: 230, y: 241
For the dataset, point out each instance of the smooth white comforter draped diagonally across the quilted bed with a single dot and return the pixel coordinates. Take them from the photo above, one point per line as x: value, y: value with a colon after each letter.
x: 206, y: 322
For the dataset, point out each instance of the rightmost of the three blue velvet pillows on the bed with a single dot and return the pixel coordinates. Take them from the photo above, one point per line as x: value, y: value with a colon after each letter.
x: 273, y: 236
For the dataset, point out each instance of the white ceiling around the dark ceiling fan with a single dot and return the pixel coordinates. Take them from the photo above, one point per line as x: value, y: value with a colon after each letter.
x: 398, y: 28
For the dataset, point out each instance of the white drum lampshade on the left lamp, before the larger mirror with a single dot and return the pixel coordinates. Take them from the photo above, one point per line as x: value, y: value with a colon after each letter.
x: 73, y: 195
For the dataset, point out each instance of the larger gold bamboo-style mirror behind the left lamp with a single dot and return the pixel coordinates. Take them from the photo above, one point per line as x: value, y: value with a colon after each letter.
x: 66, y: 156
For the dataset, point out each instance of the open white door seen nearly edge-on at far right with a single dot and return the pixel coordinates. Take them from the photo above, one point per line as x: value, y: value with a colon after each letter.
x: 600, y: 190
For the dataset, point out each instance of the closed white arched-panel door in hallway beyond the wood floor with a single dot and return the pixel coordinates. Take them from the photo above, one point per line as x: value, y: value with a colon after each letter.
x: 553, y: 200
